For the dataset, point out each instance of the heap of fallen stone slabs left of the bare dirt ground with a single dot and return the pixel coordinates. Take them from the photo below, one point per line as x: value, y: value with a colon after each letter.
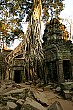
x: 17, y: 97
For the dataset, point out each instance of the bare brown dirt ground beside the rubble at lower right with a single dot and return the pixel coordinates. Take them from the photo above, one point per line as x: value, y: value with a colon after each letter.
x: 66, y: 104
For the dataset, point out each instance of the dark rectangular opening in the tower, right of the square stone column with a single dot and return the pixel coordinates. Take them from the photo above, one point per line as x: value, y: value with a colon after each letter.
x: 67, y: 70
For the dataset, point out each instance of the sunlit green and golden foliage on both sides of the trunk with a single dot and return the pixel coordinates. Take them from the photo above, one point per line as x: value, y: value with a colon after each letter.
x: 12, y: 12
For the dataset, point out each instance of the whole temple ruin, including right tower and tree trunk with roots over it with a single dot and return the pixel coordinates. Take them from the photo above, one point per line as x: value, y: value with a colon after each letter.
x: 50, y: 61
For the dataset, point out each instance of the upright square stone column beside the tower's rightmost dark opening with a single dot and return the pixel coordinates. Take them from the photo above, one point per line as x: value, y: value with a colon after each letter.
x: 60, y: 71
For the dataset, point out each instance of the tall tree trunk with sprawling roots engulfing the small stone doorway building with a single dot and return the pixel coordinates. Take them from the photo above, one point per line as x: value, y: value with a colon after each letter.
x: 25, y: 62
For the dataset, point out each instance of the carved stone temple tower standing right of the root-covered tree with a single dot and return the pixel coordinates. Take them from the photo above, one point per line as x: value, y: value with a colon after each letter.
x: 58, y: 52
